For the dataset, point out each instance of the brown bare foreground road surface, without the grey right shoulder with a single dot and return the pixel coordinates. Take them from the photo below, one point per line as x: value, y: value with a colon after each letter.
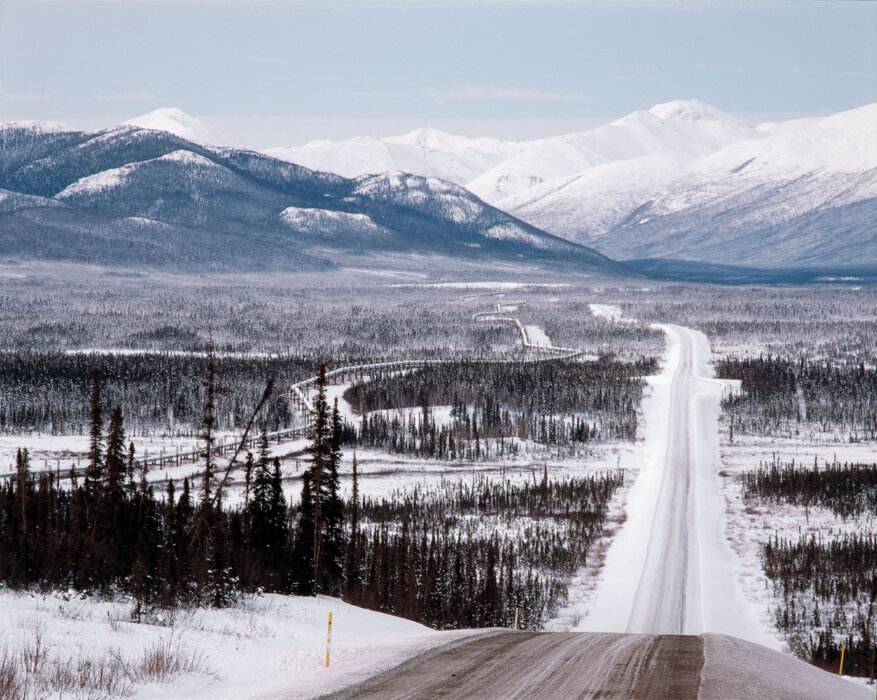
x: 546, y: 665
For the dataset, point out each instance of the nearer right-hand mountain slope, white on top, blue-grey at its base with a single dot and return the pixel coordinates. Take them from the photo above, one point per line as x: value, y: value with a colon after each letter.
x: 800, y: 193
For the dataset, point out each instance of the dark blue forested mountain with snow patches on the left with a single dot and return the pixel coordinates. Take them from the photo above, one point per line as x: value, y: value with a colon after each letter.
x: 130, y: 196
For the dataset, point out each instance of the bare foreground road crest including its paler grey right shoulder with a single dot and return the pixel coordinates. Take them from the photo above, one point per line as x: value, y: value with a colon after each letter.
x: 568, y: 666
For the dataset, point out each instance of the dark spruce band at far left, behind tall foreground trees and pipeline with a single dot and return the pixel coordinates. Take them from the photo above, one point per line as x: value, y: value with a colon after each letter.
x: 49, y: 392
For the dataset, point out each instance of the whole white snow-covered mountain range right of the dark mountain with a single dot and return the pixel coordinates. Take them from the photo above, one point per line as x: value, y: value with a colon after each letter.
x: 682, y: 180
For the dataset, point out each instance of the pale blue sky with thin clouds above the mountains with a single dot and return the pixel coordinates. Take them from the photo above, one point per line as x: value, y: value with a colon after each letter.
x: 283, y: 73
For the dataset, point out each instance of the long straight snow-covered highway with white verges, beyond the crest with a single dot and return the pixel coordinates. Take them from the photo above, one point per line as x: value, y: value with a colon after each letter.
x: 670, y: 570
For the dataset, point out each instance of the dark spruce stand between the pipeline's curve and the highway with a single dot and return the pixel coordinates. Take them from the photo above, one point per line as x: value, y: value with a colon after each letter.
x: 558, y: 403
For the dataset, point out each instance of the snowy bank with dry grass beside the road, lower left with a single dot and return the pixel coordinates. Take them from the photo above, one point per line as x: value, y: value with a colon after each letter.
x: 266, y: 646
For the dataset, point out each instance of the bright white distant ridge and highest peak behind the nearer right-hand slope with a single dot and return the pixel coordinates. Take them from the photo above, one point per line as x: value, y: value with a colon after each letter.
x: 494, y: 169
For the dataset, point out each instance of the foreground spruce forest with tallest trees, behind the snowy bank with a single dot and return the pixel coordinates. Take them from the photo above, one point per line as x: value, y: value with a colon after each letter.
x: 454, y: 556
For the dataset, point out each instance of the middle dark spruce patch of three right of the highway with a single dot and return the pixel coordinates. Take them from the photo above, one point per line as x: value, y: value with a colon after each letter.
x: 848, y: 489
